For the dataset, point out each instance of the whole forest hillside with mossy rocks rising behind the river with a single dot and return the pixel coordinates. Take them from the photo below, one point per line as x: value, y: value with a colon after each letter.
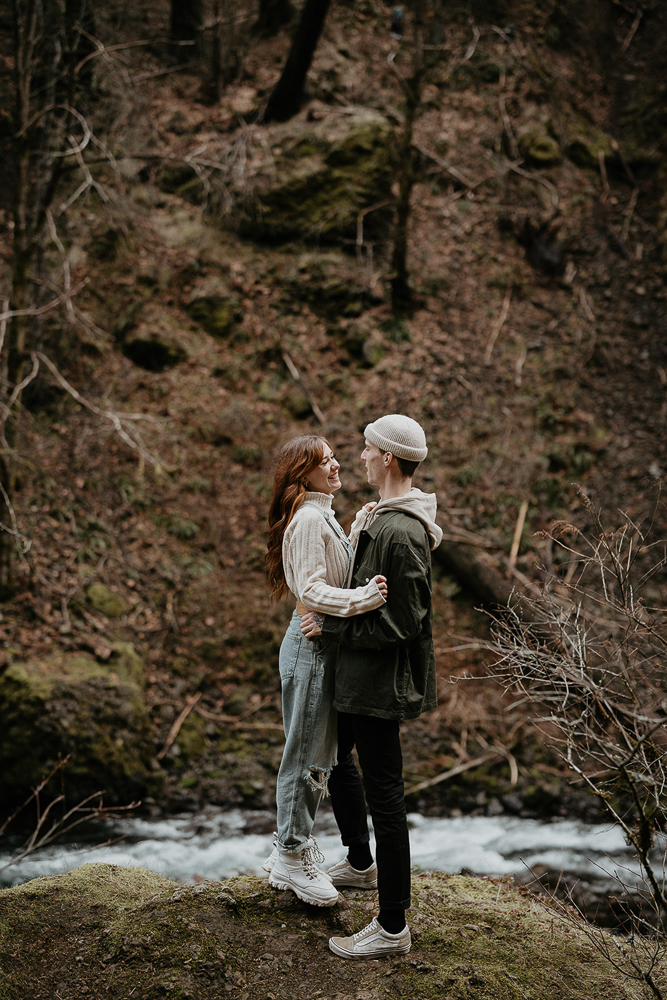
x: 205, y: 285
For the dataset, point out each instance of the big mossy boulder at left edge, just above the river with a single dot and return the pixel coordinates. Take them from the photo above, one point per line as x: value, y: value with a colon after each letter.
x: 71, y: 704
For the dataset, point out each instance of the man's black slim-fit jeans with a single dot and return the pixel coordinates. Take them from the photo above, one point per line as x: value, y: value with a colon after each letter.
x: 378, y: 746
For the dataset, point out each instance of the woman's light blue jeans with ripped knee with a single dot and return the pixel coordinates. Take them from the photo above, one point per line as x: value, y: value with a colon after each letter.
x: 307, y: 670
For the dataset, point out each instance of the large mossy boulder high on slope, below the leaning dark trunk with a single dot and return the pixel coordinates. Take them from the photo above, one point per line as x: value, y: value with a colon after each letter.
x: 323, y: 174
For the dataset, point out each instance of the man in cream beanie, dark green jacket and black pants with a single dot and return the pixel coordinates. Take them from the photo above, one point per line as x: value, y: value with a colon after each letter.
x: 385, y: 674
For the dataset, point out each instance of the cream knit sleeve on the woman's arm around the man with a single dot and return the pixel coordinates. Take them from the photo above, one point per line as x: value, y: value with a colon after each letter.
x: 304, y: 552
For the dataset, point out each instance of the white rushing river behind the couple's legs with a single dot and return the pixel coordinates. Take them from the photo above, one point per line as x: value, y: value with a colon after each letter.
x: 217, y: 844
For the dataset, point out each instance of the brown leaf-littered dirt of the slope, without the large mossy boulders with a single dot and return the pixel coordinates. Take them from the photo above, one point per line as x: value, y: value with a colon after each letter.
x: 570, y: 388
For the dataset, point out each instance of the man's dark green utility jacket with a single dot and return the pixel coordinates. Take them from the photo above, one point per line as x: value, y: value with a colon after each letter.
x: 386, y: 662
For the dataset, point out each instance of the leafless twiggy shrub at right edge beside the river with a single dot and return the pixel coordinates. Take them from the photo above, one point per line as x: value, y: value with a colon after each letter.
x: 590, y: 655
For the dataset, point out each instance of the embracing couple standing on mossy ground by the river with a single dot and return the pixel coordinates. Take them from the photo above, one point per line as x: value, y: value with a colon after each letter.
x: 356, y: 661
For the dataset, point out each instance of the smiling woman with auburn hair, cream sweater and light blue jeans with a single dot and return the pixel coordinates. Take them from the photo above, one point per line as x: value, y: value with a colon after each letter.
x: 309, y: 555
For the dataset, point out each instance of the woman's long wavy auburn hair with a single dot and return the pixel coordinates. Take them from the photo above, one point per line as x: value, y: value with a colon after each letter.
x: 296, y: 461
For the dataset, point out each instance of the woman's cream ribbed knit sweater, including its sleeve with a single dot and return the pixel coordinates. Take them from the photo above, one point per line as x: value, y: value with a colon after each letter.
x: 315, y: 561
